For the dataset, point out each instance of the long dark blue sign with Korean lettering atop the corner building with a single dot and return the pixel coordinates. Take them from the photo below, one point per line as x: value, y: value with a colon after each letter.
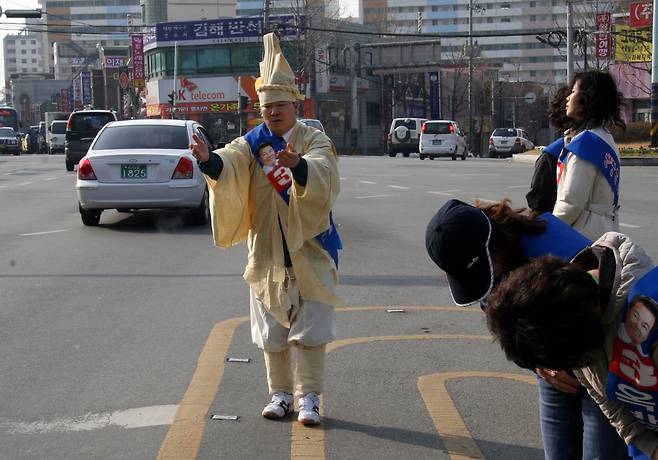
x: 230, y: 30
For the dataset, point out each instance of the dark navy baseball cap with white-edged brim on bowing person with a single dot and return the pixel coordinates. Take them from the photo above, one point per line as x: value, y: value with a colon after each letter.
x: 457, y: 240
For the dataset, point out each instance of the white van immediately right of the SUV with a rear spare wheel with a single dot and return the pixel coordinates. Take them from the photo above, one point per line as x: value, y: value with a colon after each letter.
x: 442, y: 138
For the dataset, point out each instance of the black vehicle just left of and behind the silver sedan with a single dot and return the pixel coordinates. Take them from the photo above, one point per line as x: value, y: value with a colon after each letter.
x: 81, y: 130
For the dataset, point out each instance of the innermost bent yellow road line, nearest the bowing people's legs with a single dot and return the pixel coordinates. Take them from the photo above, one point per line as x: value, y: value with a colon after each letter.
x: 447, y: 420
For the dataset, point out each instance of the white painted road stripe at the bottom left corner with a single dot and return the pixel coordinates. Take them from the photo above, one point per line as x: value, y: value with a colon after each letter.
x: 139, y: 417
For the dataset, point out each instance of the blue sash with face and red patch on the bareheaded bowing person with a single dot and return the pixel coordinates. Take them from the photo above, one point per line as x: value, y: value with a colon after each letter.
x: 632, y: 373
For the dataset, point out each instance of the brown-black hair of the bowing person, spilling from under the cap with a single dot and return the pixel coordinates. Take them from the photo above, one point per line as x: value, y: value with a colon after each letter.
x: 507, y: 227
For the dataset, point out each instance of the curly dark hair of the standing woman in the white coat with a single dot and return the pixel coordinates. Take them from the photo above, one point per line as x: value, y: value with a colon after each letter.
x: 600, y: 100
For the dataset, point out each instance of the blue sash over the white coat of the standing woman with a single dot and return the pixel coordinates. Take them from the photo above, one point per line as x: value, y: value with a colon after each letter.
x: 592, y: 148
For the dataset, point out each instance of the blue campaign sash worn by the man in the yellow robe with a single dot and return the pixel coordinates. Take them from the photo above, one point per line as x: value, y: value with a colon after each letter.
x: 281, y: 180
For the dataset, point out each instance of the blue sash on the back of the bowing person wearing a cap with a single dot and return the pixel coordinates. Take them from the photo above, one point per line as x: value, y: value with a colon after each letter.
x: 559, y: 240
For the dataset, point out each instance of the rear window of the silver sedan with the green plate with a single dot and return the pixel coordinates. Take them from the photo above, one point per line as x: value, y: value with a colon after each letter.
x: 142, y: 137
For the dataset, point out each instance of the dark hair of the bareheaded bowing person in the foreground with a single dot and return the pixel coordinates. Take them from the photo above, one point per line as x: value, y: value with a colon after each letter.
x: 545, y: 314
